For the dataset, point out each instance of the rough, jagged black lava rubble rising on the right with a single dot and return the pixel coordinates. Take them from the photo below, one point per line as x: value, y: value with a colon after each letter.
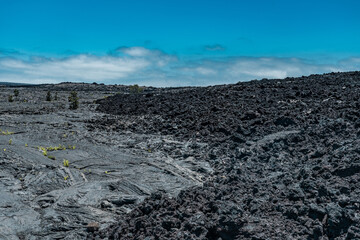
x: 284, y: 153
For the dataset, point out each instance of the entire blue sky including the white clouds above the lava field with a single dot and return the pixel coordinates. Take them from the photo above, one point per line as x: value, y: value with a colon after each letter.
x: 174, y: 43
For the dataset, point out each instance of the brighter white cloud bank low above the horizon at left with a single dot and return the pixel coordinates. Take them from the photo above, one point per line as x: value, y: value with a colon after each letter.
x: 77, y: 68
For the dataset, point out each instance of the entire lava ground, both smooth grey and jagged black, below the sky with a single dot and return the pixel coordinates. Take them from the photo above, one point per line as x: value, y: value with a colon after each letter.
x: 270, y: 159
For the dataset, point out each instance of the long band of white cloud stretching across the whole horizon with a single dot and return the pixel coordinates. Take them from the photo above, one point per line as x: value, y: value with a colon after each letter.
x: 129, y: 65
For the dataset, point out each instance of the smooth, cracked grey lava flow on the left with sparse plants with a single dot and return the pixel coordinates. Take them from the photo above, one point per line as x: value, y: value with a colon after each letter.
x: 108, y: 172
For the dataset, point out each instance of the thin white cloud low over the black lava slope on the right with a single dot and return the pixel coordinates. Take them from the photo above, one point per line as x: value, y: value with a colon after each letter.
x: 235, y: 69
